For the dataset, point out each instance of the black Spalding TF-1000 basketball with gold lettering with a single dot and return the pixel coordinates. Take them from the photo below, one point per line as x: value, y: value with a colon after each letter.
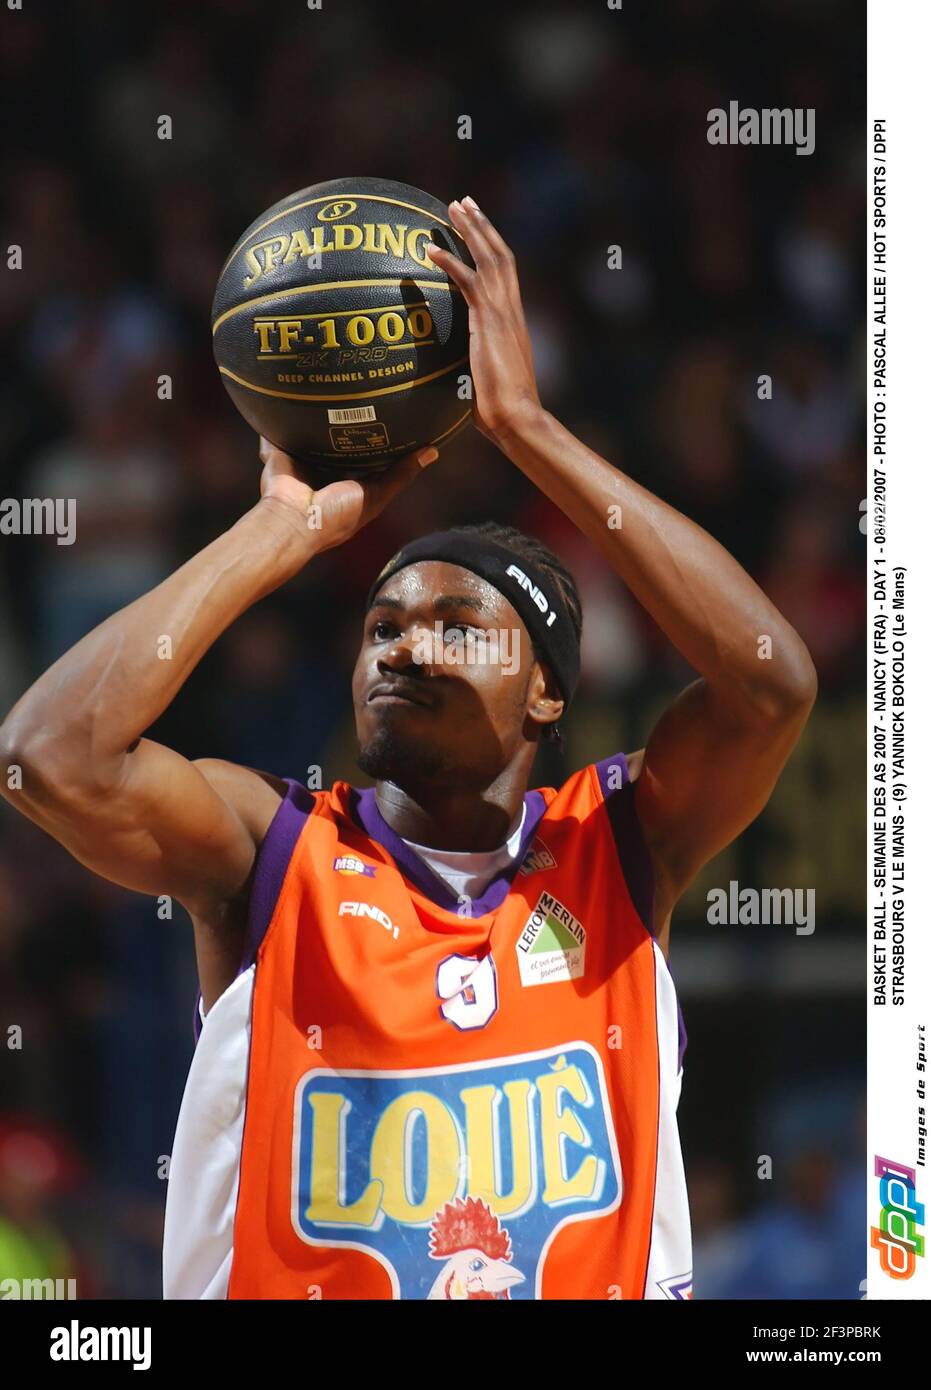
x: 337, y: 337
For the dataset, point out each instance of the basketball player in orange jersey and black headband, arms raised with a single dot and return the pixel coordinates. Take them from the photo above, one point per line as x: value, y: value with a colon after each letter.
x: 441, y: 1050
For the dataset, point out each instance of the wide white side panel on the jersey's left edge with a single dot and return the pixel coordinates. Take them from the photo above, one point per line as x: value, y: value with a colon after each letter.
x: 204, y: 1181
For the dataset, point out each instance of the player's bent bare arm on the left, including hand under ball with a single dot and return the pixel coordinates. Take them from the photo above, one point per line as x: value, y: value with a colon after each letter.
x: 126, y: 807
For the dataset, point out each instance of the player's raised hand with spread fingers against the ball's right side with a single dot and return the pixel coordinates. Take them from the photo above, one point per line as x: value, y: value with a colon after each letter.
x: 500, y: 347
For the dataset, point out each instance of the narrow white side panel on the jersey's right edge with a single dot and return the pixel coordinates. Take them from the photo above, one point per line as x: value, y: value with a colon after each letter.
x: 669, y: 1274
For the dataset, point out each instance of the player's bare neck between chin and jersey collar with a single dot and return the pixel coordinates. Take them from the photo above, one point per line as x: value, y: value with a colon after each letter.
x: 454, y: 819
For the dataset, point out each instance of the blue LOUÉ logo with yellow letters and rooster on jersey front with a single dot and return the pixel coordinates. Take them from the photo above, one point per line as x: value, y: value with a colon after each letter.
x: 456, y: 1179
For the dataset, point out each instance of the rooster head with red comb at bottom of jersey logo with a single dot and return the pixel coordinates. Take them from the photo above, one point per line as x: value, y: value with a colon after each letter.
x: 477, y: 1252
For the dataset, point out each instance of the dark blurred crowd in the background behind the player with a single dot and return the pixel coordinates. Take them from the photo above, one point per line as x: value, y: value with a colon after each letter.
x: 588, y: 131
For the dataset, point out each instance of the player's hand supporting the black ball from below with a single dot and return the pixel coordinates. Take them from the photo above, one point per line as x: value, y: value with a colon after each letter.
x: 337, y: 512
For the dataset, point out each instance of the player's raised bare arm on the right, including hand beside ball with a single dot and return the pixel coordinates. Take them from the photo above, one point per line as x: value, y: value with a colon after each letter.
x: 716, y: 754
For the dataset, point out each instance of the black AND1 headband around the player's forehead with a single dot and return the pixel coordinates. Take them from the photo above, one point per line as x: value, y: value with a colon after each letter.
x: 523, y: 583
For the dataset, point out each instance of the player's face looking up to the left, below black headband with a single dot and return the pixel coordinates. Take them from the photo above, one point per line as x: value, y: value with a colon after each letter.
x: 444, y: 679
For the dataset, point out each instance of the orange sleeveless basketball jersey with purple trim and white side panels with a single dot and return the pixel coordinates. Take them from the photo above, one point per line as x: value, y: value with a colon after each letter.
x: 445, y: 1099
